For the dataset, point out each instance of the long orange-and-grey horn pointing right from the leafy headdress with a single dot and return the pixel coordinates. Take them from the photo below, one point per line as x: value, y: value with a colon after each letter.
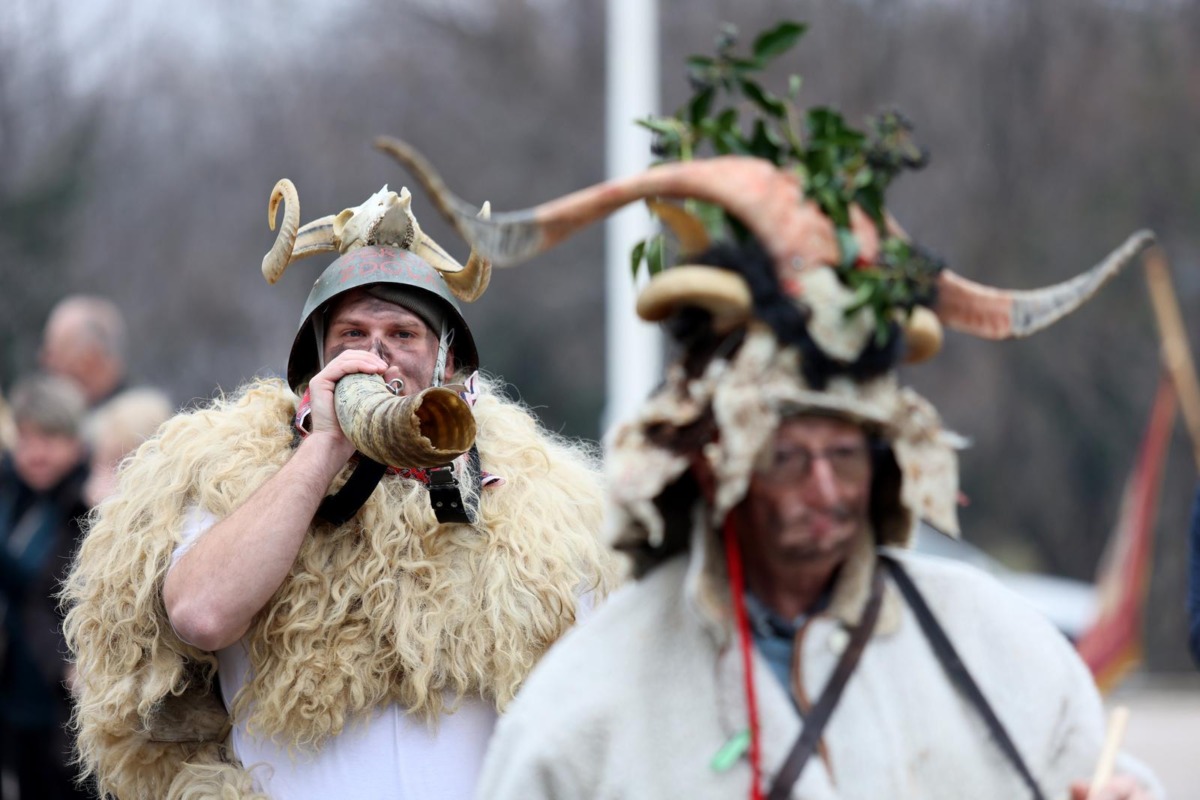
x: 994, y: 314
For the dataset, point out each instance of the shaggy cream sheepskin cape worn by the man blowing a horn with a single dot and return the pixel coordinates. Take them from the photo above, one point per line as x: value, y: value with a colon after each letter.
x: 388, y: 607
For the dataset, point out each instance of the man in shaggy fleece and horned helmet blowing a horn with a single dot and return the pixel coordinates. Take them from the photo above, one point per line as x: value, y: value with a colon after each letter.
x: 329, y: 587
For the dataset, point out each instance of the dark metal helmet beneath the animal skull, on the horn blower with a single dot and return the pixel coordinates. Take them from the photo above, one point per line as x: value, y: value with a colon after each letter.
x: 365, y: 267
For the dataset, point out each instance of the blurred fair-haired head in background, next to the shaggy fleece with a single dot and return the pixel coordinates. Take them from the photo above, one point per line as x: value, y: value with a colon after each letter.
x: 116, y: 430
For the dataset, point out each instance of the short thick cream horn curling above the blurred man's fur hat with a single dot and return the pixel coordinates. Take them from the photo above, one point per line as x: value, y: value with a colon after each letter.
x: 722, y: 293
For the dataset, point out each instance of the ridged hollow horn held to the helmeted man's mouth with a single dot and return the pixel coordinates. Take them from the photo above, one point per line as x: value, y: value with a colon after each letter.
x: 430, y: 429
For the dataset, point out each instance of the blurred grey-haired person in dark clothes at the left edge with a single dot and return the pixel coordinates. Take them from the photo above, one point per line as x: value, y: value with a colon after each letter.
x: 41, y: 506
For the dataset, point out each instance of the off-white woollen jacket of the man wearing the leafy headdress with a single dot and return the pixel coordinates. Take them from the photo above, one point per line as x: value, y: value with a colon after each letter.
x: 638, y: 701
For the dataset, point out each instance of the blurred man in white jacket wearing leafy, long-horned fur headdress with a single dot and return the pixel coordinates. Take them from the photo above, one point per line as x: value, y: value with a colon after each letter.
x: 781, y: 640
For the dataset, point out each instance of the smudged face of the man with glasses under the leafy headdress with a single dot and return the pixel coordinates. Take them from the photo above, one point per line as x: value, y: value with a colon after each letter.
x: 811, y: 500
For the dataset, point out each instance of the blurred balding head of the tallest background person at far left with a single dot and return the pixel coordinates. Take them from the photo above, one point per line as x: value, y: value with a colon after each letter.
x: 85, y: 340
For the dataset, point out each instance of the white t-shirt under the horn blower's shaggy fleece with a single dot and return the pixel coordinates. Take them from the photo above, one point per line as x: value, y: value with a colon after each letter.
x: 387, y: 756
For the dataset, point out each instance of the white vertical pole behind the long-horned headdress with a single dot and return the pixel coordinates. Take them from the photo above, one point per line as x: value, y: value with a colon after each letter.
x: 634, y: 350
